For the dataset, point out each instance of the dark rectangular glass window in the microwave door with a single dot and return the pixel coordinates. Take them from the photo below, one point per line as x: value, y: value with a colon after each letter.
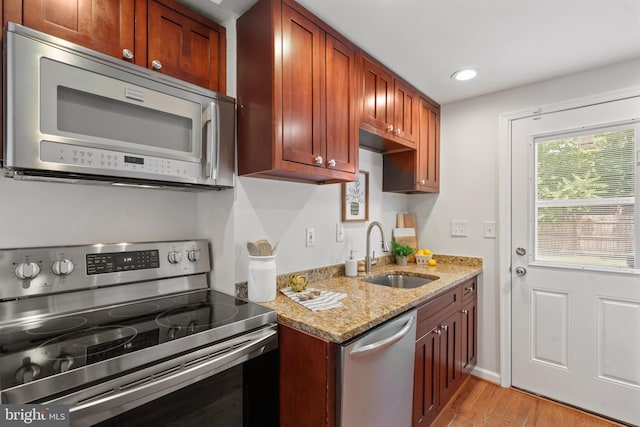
x: 88, y: 114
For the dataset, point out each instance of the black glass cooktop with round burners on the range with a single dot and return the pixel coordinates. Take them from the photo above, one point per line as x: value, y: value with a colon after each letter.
x: 35, y: 349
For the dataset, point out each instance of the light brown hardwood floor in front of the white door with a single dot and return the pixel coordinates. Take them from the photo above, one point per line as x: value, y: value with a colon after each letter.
x: 481, y: 403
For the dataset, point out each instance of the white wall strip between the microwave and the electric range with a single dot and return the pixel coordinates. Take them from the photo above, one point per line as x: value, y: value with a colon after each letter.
x: 41, y: 214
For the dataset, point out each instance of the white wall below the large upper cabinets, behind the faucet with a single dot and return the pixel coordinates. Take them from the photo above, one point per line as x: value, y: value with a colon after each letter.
x: 280, y: 212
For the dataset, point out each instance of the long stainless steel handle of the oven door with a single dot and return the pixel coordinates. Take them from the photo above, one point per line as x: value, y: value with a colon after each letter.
x: 103, y: 406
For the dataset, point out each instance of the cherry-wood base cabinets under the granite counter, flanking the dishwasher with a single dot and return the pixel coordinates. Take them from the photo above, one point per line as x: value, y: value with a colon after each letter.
x: 445, y: 353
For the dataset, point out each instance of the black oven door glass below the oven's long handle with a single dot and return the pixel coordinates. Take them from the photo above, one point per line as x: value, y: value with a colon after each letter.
x: 245, y: 395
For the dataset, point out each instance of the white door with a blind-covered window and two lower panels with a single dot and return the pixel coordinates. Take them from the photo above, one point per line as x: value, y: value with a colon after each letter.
x: 576, y: 259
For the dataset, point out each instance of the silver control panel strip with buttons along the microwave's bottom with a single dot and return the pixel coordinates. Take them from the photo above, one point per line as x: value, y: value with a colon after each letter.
x: 96, y: 159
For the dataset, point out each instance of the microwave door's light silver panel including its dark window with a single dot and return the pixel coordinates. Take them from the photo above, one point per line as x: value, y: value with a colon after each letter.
x: 78, y: 105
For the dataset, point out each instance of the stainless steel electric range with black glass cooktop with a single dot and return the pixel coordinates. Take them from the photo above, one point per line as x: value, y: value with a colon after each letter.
x: 132, y: 334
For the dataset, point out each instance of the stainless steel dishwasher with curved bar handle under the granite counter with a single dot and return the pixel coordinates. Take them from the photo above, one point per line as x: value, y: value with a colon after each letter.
x: 375, y: 376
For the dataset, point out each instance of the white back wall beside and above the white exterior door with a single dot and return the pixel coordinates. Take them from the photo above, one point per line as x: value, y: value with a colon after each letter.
x: 469, y: 180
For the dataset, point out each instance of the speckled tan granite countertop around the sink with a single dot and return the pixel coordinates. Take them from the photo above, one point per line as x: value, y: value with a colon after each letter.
x: 368, y: 305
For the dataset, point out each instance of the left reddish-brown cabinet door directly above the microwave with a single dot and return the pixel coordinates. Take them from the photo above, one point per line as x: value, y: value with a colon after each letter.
x: 102, y: 25
